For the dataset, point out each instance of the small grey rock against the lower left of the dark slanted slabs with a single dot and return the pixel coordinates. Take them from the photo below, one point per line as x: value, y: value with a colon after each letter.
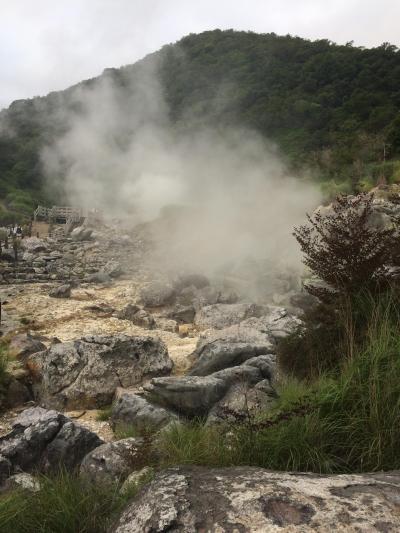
x: 132, y: 409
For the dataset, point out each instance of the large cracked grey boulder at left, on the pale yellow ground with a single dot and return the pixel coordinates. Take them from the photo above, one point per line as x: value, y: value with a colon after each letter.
x: 85, y: 373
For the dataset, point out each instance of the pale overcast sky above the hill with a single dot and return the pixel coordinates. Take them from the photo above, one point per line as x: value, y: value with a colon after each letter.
x: 50, y: 44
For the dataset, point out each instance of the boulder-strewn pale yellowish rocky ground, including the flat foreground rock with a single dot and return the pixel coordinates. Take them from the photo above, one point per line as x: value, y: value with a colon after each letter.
x: 90, y: 326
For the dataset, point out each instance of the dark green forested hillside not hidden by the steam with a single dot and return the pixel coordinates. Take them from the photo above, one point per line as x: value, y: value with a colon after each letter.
x: 332, y: 109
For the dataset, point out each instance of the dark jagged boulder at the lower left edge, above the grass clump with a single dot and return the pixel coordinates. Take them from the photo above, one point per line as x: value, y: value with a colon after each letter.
x: 42, y: 440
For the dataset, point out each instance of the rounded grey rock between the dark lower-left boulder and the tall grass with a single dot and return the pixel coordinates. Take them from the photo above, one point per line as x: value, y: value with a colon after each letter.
x: 114, y: 461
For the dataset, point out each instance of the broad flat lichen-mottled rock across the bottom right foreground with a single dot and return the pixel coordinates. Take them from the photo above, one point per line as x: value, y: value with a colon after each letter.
x: 254, y: 500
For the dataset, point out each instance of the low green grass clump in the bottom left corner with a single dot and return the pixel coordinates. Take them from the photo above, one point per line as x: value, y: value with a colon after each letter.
x: 65, y: 503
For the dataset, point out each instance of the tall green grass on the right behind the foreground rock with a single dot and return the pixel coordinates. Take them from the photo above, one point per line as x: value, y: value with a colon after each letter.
x: 348, y: 421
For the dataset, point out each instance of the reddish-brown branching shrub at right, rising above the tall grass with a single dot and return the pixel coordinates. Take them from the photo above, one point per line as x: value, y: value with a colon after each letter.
x: 344, y: 249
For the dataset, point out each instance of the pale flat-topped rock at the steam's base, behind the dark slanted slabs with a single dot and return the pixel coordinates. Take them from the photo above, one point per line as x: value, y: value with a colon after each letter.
x: 220, y: 316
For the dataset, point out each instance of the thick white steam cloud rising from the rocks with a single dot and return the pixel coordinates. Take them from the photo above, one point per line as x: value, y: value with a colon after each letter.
x: 122, y: 154
